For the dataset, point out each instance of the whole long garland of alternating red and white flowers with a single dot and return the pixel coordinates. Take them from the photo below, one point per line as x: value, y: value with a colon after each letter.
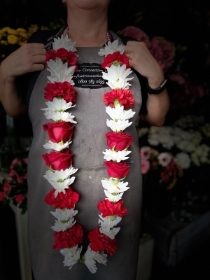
x: 61, y: 96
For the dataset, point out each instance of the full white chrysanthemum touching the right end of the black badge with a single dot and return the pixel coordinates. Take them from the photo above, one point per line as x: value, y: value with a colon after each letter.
x: 117, y: 76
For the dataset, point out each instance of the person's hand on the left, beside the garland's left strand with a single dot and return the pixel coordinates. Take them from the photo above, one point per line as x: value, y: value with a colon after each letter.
x: 28, y: 58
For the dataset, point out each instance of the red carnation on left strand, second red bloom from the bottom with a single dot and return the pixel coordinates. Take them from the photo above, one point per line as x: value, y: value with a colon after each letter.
x: 62, y: 200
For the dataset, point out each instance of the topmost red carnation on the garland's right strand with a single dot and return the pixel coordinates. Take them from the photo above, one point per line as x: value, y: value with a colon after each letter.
x: 115, y: 57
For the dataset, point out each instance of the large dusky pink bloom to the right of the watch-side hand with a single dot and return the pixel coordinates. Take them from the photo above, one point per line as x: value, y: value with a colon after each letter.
x: 163, y: 51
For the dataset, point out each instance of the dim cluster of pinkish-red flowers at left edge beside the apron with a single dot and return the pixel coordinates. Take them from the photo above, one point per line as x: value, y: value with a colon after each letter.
x: 14, y: 188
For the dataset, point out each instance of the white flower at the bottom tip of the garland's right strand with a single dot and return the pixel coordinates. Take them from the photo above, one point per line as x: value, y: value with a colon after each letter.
x: 90, y: 258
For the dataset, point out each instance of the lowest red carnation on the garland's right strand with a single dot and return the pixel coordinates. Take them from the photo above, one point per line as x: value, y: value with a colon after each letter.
x: 101, y: 242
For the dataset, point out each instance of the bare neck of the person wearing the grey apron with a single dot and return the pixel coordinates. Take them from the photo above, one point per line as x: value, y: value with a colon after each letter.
x: 89, y: 31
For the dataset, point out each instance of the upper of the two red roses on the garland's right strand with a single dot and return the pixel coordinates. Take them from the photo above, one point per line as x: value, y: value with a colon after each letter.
x: 119, y: 141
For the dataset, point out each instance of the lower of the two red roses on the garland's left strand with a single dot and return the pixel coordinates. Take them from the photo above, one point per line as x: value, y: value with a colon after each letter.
x: 58, y: 160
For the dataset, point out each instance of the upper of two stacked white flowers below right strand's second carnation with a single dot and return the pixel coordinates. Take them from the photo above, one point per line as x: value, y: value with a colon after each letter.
x: 118, y: 113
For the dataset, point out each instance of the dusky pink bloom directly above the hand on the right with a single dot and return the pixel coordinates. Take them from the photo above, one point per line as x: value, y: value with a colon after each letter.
x: 136, y: 33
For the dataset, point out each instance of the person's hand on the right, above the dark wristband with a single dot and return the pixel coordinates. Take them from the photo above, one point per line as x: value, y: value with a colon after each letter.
x: 143, y: 62
